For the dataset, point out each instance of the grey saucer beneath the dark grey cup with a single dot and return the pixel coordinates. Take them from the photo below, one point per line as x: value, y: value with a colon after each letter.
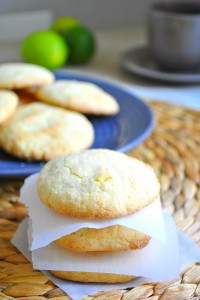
x: 139, y: 62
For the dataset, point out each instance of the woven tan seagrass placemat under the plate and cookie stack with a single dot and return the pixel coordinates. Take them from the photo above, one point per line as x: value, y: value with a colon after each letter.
x: 173, y: 151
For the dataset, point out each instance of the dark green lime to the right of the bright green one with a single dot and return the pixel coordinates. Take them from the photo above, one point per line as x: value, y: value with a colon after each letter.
x: 81, y: 42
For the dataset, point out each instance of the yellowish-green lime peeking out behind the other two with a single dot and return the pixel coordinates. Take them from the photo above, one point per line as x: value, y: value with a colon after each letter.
x: 62, y: 24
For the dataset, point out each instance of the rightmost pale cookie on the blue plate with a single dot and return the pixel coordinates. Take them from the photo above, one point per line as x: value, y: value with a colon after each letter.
x: 84, y: 97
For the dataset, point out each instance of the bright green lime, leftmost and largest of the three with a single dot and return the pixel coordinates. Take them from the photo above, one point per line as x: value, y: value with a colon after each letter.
x: 45, y: 48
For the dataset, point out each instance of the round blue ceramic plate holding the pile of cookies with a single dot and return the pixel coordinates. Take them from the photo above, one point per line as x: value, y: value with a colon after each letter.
x: 121, y: 132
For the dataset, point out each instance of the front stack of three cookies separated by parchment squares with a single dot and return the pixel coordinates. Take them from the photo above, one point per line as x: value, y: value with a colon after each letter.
x: 98, y: 185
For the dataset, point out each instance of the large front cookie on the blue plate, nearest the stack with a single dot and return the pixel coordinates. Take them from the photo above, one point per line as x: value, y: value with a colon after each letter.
x: 41, y: 132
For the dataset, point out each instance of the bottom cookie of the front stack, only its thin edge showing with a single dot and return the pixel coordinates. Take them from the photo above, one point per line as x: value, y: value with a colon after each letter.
x: 92, y: 276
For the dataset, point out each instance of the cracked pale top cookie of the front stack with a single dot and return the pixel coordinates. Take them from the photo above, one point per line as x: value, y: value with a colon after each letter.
x: 97, y: 184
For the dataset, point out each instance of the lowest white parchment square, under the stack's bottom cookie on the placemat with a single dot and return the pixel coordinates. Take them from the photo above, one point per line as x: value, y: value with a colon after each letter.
x: 188, y: 253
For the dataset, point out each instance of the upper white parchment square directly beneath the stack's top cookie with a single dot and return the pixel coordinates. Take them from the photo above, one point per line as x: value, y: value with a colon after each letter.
x: 48, y: 225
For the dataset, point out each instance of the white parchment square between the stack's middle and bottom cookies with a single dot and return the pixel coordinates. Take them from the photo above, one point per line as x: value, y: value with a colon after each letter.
x: 157, y: 260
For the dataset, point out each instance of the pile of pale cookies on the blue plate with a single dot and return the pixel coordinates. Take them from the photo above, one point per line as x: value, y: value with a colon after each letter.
x: 42, y: 131
